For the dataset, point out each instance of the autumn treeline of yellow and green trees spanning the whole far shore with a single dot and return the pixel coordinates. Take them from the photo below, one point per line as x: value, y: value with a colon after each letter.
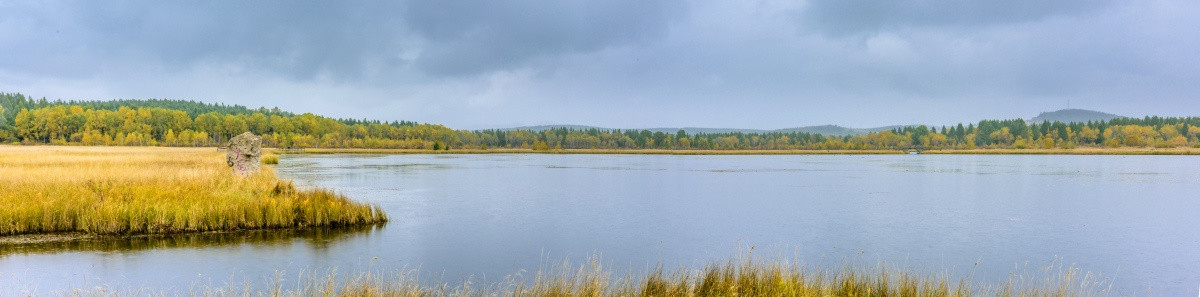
x: 191, y: 124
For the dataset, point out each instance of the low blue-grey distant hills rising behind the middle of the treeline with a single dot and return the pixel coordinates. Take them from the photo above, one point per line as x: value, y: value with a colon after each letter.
x: 825, y: 130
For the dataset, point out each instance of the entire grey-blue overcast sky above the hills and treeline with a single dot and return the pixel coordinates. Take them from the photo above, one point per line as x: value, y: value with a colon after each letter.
x: 621, y: 64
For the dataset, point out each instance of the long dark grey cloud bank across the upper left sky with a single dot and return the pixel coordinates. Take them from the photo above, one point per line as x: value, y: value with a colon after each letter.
x: 343, y: 41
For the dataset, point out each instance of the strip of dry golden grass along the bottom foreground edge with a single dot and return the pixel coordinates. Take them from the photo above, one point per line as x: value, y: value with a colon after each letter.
x: 736, y: 278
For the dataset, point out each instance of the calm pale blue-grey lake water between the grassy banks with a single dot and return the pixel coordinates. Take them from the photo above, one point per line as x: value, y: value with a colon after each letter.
x: 1135, y: 220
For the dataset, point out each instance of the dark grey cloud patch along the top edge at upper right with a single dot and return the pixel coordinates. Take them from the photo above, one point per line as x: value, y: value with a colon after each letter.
x: 842, y: 17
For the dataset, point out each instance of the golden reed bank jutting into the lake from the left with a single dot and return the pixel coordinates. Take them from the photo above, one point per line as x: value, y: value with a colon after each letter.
x: 133, y: 191
